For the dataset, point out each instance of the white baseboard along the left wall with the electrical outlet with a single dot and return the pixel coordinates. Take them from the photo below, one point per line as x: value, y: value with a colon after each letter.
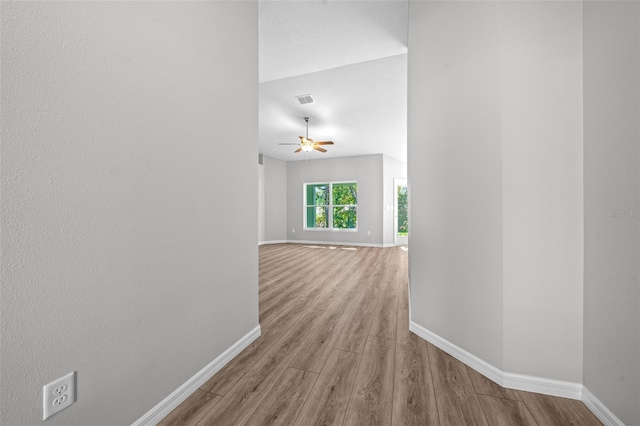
x: 160, y: 411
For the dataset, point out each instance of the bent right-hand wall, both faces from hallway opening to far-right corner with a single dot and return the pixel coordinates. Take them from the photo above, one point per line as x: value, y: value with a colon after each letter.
x: 495, y: 171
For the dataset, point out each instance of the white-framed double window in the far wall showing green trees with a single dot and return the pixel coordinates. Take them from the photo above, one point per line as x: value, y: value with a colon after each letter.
x: 332, y: 205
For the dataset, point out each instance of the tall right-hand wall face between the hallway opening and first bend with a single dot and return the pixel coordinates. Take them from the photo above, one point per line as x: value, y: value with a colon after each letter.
x: 454, y: 158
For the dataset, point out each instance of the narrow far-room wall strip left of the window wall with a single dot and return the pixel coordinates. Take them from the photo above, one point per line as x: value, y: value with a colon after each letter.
x: 275, y: 199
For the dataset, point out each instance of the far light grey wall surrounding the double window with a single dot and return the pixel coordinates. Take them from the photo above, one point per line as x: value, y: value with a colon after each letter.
x: 366, y: 170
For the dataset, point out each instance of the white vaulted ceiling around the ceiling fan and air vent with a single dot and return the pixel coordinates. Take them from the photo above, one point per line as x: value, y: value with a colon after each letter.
x: 351, y: 57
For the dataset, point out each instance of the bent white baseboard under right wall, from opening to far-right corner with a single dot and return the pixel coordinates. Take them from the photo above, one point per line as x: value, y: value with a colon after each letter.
x: 508, y: 380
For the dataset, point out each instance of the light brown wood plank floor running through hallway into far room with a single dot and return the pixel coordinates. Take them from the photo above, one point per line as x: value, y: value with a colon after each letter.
x: 336, y: 350
